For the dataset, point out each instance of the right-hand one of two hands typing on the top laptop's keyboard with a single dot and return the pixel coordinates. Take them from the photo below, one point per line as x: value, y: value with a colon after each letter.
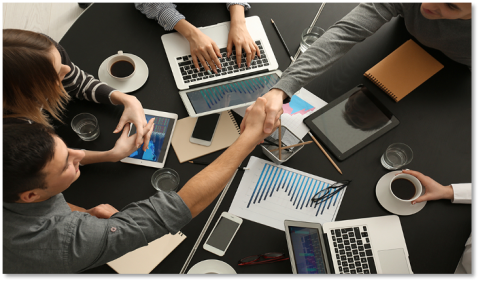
x: 240, y: 37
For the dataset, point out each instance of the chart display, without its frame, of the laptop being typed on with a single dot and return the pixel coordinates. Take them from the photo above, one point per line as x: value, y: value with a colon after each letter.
x: 231, y: 94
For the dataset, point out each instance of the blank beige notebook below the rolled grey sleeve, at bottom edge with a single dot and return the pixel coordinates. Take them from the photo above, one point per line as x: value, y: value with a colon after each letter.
x: 143, y: 260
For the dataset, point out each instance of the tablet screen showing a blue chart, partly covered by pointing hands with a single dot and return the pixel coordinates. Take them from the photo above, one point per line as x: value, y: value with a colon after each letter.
x: 162, y: 130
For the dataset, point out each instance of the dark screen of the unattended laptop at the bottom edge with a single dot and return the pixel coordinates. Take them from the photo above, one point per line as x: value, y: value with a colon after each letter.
x: 307, y: 250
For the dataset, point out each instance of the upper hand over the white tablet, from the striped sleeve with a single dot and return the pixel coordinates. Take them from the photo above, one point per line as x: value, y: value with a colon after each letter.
x: 132, y: 113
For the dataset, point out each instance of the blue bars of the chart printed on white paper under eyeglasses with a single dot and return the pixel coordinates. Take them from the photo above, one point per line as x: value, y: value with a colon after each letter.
x: 299, y: 188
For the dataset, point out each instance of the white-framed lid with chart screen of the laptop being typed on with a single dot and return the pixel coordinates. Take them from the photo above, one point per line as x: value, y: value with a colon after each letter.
x: 235, y: 93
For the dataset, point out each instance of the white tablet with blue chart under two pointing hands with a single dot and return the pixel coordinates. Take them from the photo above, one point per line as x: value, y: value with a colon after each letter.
x: 160, y: 139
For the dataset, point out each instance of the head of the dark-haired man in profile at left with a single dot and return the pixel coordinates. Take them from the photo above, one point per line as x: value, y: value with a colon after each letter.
x: 36, y: 163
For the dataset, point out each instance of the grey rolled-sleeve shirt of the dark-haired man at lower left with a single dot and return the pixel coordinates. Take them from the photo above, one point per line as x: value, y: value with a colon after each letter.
x: 47, y: 237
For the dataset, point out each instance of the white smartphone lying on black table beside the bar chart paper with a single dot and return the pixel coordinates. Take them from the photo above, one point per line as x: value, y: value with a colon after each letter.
x: 222, y: 234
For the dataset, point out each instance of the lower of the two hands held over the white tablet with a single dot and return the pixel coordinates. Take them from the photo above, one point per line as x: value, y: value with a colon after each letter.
x: 126, y: 145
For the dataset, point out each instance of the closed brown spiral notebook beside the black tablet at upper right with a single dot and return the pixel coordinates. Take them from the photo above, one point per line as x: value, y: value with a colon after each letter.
x: 403, y: 70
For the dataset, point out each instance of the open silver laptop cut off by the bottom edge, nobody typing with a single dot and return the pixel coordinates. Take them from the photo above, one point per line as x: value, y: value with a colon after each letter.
x: 361, y: 246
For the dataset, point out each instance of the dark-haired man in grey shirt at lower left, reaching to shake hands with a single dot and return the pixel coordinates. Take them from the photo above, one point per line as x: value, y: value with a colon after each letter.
x: 41, y: 233
